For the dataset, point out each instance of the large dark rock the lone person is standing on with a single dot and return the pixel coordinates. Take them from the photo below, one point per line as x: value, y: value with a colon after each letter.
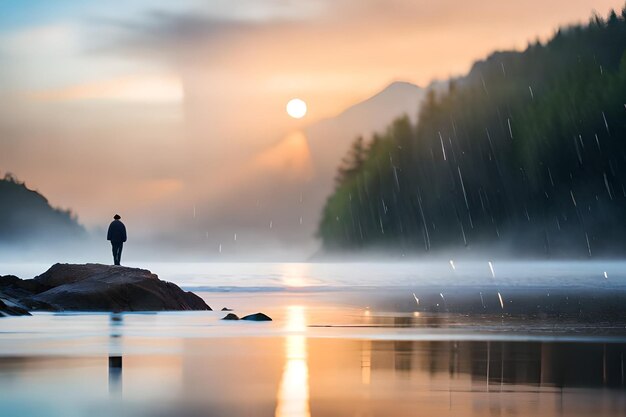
x: 95, y: 287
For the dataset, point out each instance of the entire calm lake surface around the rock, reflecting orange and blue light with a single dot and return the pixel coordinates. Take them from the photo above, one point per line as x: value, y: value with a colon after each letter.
x: 367, y: 339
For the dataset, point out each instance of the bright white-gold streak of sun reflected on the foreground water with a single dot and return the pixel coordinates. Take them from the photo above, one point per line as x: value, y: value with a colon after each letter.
x: 293, y: 393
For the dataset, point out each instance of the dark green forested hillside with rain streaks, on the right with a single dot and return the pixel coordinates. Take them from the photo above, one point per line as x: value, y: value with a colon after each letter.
x: 526, y: 153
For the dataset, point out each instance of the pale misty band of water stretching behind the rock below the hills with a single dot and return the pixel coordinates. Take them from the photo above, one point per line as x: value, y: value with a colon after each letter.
x: 340, y: 275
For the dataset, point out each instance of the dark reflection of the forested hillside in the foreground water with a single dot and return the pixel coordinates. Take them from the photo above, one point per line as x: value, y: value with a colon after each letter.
x: 489, y: 364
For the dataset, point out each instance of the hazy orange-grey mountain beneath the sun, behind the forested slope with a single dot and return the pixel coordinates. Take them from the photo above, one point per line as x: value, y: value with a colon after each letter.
x: 281, y: 207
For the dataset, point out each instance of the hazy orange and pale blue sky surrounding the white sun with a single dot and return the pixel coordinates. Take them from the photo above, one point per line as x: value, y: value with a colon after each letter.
x: 171, y: 112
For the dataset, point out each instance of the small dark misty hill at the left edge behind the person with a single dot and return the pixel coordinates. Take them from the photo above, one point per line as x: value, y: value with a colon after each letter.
x: 27, y: 219
